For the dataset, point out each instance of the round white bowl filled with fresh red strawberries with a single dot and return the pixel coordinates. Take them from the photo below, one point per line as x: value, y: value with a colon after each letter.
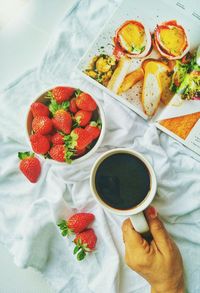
x: 65, y: 124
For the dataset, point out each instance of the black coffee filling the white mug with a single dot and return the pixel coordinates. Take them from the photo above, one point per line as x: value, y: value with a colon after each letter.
x: 122, y: 181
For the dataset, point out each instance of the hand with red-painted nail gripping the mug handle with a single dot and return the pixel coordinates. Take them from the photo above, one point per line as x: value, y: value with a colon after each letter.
x: 160, y: 261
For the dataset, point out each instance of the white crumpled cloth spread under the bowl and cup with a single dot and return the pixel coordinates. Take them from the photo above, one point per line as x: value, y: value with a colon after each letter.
x: 28, y: 212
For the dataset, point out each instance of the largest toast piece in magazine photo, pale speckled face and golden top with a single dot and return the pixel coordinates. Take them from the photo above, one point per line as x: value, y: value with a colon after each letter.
x: 152, y: 88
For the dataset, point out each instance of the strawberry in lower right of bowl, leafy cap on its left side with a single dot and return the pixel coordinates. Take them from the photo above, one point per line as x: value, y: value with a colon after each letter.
x: 80, y: 139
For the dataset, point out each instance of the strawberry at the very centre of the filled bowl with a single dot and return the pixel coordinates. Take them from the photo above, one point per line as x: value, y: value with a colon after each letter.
x: 62, y: 121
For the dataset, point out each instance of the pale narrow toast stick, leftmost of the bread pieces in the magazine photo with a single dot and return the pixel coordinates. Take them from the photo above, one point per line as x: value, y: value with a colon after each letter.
x: 119, y: 74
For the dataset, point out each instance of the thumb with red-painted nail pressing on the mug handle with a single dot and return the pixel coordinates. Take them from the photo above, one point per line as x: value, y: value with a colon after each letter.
x: 157, y: 229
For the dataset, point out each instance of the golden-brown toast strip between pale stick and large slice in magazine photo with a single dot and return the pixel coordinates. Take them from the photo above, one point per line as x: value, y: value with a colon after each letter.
x: 131, y: 79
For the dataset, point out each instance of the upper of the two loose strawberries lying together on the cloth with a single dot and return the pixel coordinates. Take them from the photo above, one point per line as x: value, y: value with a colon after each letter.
x: 76, y: 223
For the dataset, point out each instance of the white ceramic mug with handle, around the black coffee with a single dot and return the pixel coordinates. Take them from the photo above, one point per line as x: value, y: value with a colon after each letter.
x: 136, y: 213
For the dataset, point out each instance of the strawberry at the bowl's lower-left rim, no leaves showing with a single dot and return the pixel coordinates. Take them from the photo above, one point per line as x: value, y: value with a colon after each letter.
x: 40, y: 143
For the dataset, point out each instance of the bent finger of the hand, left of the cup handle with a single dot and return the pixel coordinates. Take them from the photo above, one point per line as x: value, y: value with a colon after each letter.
x: 130, y: 236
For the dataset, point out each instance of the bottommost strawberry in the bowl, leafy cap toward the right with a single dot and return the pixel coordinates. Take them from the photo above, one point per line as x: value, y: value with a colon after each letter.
x: 60, y: 153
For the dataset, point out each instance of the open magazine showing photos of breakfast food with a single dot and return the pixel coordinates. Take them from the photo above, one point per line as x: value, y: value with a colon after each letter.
x: 148, y: 59
